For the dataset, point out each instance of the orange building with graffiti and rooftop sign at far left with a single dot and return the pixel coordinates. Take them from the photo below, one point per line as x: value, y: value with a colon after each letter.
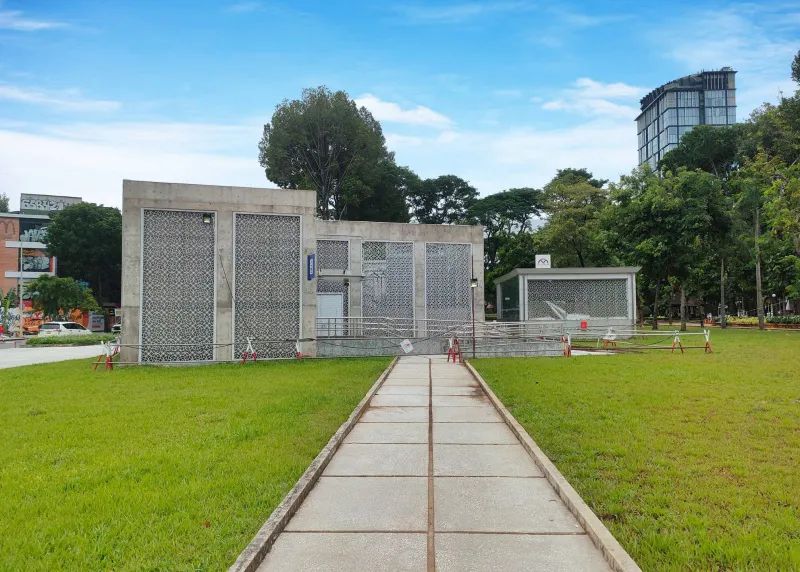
x: 23, y: 237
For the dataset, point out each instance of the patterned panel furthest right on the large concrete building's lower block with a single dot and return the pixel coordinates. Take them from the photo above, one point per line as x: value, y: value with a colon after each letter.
x: 448, y: 270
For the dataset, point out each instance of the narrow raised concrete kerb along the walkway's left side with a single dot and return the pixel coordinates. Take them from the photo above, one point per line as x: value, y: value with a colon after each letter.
x: 252, y: 556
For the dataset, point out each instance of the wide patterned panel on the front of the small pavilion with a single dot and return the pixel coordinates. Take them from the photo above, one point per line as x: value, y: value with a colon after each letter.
x: 585, y: 298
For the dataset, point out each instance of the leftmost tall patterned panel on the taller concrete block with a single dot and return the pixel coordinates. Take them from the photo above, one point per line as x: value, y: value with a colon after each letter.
x: 177, y: 286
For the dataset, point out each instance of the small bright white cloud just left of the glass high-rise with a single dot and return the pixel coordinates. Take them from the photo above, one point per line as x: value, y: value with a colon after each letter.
x: 591, y: 98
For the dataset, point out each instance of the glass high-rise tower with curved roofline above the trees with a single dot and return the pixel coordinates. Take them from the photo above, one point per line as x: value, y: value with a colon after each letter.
x: 669, y: 111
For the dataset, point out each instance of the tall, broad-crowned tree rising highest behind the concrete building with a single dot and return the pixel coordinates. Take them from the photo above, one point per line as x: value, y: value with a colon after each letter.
x: 325, y: 141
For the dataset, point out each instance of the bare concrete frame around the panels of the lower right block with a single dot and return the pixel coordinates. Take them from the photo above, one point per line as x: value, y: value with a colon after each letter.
x: 419, y: 234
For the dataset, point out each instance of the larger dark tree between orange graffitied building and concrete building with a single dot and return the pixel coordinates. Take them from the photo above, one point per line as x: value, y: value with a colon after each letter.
x: 87, y: 240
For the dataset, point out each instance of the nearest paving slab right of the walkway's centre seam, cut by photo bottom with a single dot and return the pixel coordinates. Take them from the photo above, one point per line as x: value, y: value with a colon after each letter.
x: 516, y: 552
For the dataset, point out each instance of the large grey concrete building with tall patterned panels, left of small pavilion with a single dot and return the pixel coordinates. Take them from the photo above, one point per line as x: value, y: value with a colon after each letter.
x: 207, y: 267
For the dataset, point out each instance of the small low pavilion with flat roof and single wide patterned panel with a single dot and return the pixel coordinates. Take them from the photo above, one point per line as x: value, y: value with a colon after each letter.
x: 568, y: 296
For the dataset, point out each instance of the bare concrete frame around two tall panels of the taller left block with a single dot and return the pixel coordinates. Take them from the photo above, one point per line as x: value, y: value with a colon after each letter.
x: 224, y: 202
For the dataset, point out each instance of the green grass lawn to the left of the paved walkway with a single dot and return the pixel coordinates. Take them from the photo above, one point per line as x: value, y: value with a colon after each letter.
x: 152, y: 468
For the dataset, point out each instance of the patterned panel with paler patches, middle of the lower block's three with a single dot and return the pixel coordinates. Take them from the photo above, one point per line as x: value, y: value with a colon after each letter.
x: 388, y: 283
